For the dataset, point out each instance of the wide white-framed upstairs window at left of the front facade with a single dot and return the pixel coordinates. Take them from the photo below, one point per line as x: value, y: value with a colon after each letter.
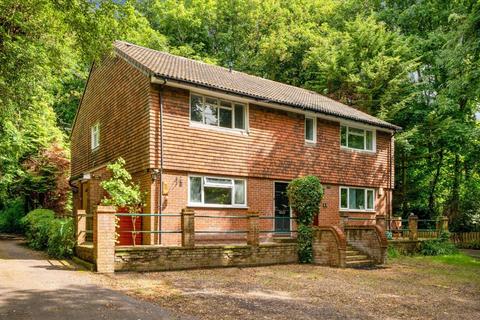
x: 217, y: 112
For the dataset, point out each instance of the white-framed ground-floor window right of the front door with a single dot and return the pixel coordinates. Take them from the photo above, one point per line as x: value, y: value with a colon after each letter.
x: 357, y: 199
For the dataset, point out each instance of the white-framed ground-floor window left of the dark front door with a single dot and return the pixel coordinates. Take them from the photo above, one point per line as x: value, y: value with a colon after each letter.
x: 216, y: 191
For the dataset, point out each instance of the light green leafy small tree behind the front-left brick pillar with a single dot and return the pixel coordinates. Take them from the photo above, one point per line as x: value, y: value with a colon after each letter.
x: 122, y: 192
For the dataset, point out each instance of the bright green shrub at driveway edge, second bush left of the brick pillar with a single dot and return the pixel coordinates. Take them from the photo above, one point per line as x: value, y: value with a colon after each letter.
x: 37, y: 227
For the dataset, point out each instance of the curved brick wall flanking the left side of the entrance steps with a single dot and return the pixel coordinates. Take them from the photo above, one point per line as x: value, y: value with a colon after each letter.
x: 329, y: 246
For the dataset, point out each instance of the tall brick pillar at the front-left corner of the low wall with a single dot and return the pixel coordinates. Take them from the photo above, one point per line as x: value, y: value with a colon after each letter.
x: 104, y: 239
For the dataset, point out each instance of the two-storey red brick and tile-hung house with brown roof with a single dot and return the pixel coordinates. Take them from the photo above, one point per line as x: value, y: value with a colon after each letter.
x: 223, y: 142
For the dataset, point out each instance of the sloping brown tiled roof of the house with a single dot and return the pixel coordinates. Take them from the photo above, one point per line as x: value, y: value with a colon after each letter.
x: 190, y: 71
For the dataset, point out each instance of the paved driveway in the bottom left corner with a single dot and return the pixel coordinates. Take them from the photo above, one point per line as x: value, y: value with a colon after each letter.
x: 35, y: 287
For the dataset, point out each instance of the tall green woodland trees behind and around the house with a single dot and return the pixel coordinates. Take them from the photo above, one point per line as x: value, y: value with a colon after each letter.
x: 411, y: 62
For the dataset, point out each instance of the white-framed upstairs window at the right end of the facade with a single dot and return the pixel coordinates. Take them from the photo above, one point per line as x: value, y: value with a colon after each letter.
x: 357, y: 138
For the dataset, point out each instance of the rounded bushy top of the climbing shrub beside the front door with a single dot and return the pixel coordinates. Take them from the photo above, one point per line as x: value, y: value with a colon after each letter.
x: 305, y: 195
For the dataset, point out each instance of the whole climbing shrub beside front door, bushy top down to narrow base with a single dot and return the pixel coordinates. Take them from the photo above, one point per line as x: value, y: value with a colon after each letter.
x: 305, y: 195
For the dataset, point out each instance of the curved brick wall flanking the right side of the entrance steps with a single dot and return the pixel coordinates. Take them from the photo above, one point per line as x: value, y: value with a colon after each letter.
x: 370, y: 240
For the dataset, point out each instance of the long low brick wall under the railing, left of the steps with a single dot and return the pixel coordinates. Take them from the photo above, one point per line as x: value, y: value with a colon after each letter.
x: 157, y: 258
